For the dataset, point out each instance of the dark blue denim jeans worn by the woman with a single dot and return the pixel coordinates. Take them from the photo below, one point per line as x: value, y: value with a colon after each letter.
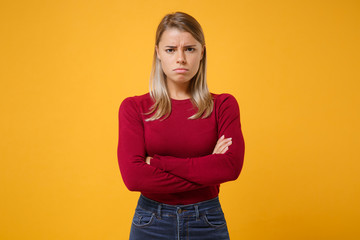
x: 200, y: 221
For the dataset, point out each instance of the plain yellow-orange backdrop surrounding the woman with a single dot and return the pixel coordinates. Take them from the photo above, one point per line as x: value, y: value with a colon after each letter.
x: 67, y: 65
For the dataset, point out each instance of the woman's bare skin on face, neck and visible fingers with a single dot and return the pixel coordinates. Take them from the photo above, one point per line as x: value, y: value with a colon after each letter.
x: 178, y: 49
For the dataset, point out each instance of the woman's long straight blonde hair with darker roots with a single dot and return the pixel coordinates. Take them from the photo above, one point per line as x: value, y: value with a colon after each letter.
x: 200, y: 95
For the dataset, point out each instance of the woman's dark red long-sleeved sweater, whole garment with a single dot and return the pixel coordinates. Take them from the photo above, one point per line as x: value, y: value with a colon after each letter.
x: 183, y: 169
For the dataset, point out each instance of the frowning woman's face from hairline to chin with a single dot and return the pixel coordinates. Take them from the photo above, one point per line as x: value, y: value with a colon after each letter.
x: 180, y: 54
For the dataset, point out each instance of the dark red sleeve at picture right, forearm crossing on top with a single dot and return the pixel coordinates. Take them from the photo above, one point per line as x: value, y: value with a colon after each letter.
x: 214, y: 168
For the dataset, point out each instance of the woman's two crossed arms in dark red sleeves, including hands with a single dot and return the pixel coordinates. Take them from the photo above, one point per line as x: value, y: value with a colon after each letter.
x: 167, y: 174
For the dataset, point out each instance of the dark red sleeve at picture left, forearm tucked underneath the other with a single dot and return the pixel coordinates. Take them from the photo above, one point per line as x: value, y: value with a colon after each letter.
x: 136, y: 173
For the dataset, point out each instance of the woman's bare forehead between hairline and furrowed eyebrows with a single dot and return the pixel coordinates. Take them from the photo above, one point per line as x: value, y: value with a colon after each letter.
x: 175, y: 37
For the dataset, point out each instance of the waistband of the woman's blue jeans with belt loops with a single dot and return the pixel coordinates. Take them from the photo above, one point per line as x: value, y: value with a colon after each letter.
x: 195, y: 209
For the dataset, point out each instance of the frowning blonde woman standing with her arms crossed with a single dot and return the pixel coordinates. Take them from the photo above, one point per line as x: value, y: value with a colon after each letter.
x: 179, y: 142
